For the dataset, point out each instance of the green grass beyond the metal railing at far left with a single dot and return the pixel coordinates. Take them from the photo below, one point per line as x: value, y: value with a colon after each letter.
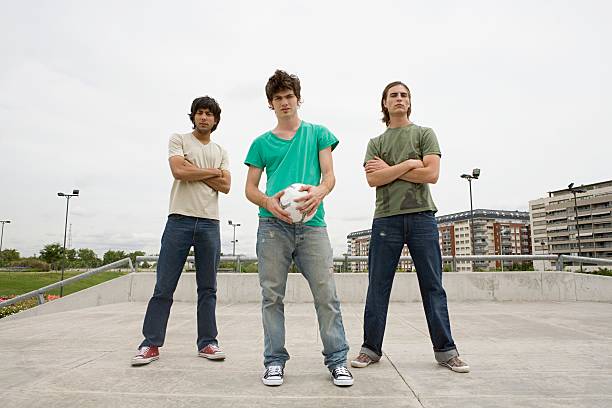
x: 17, y: 283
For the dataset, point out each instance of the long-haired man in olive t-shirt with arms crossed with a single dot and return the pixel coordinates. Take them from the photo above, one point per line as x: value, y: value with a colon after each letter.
x: 401, y: 163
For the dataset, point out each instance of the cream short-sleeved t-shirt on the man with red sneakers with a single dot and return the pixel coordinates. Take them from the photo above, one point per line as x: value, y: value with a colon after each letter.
x: 196, y: 198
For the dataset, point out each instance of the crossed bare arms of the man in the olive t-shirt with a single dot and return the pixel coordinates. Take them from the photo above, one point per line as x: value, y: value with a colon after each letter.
x: 379, y: 173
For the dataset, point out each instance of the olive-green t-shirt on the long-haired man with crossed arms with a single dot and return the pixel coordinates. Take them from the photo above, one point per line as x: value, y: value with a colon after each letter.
x: 395, y: 146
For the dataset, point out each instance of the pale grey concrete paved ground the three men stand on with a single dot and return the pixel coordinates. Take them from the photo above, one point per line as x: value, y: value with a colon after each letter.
x: 522, y: 355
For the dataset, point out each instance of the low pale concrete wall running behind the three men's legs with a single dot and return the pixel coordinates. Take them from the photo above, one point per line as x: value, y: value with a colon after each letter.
x: 244, y: 288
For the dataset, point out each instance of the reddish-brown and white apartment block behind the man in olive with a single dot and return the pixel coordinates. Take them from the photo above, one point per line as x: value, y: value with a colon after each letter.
x: 496, y: 232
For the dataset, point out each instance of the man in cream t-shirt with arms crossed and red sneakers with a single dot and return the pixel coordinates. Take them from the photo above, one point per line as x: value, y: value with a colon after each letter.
x: 201, y: 169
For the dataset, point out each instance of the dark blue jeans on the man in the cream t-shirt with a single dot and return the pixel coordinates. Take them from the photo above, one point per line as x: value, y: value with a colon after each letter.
x: 181, y: 233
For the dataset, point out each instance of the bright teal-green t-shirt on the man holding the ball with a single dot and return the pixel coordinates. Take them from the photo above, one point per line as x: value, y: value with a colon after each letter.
x: 292, y: 161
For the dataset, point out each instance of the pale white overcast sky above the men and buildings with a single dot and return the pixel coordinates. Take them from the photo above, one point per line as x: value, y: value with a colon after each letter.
x: 91, y: 91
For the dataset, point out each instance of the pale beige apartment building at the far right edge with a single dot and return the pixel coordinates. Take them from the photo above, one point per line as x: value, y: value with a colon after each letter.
x: 557, y: 230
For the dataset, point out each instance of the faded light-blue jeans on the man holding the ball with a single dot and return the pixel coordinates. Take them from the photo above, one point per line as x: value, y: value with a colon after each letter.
x: 278, y: 243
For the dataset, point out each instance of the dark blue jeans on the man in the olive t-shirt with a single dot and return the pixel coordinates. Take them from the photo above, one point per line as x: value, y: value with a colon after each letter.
x: 389, y: 234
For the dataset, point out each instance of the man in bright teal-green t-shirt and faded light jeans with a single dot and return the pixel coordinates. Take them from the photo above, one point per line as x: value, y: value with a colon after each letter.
x: 294, y: 152
